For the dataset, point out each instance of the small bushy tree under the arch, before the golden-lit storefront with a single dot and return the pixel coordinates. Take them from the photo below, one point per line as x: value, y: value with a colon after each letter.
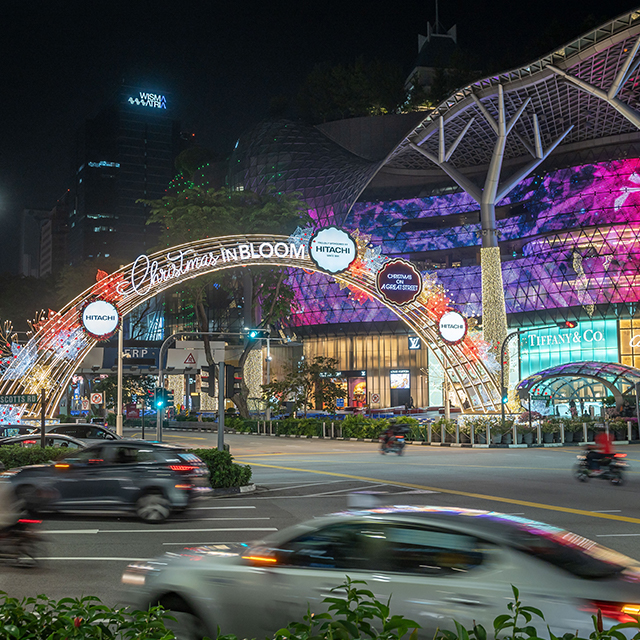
x: 306, y: 383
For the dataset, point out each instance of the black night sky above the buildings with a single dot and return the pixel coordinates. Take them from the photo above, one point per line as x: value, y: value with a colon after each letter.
x: 222, y: 61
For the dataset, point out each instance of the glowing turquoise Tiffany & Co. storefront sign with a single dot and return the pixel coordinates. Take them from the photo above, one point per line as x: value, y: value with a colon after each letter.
x: 546, y: 347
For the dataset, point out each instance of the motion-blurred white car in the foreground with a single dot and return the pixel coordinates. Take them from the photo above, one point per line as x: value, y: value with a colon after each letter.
x: 438, y: 564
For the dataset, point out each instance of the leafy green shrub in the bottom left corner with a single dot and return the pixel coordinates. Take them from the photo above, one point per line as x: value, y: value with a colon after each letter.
x: 41, y: 618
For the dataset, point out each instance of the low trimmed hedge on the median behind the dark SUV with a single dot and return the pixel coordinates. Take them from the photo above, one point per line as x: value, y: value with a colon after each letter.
x: 224, y: 472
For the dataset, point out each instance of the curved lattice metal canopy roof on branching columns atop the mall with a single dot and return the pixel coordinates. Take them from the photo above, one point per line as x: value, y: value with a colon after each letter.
x: 586, y: 90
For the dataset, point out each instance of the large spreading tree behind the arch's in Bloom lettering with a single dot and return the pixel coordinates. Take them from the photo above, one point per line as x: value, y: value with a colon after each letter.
x: 262, y: 293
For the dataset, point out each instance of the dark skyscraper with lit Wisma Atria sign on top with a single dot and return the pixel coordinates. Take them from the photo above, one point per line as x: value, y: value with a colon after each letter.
x: 123, y: 154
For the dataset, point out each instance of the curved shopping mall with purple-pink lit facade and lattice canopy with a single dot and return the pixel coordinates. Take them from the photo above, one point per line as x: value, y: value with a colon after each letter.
x: 533, y: 174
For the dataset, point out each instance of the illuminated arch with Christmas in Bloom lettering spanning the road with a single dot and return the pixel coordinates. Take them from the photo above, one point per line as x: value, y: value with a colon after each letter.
x: 60, y: 344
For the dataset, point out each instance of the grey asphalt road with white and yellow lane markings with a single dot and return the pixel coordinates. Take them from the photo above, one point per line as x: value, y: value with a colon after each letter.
x: 299, y: 478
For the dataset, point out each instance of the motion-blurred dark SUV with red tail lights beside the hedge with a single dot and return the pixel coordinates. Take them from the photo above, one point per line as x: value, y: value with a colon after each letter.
x: 120, y: 475
